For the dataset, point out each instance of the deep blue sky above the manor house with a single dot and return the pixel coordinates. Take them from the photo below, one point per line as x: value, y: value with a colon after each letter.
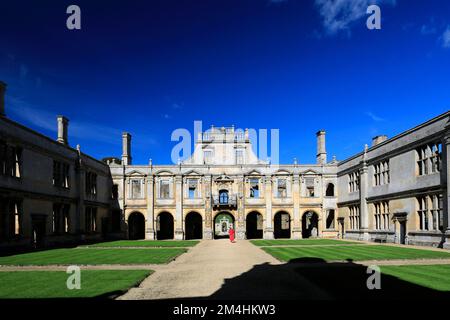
x: 149, y: 67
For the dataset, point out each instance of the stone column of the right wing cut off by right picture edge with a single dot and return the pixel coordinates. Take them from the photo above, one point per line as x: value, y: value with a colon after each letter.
x: 446, y: 181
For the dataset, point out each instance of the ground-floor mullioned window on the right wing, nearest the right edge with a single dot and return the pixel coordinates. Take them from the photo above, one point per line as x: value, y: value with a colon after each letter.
x: 430, y: 212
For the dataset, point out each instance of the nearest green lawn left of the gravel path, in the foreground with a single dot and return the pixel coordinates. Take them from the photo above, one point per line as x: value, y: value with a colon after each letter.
x: 52, y: 284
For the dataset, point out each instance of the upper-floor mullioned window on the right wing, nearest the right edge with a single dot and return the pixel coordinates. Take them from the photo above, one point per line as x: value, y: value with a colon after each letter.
x: 429, y: 158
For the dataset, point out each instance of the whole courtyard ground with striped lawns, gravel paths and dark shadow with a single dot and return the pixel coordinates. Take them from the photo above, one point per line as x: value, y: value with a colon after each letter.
x: 218, y: 269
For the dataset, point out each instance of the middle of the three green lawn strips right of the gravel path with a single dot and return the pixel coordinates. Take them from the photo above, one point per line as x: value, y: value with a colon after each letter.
x: 356, y: 252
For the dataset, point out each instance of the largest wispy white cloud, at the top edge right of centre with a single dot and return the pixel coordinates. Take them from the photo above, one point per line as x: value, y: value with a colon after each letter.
x: 338, y: 15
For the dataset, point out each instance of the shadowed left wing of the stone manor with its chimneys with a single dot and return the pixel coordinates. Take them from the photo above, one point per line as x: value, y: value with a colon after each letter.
x: 44, y: 196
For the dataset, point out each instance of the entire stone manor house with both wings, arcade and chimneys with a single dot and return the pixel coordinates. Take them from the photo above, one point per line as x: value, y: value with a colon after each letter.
x: 395, y: 190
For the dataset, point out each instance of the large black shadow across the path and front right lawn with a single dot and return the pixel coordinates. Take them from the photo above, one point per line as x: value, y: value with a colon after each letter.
x: 312, y: 278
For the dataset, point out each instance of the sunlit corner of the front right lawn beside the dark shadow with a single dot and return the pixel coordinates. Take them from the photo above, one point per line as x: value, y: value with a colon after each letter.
x: 435, y: 277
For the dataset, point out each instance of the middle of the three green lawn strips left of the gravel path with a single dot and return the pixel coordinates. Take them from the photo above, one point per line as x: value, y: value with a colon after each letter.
x: 93, y: 256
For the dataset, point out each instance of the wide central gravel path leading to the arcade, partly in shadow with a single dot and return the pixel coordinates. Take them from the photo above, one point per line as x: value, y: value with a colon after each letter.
x: 222, y: 270
